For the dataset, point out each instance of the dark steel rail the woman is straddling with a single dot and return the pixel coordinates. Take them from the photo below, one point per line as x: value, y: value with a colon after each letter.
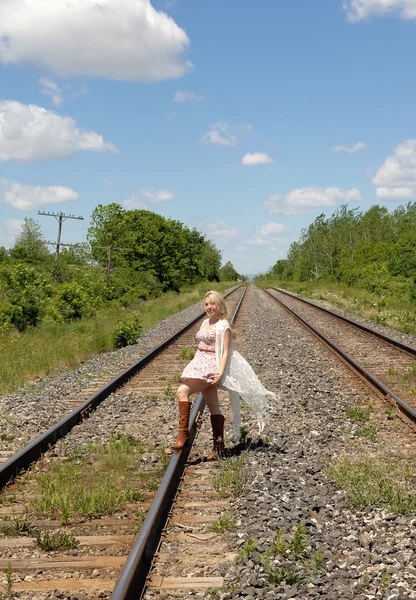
x: 132, y: 581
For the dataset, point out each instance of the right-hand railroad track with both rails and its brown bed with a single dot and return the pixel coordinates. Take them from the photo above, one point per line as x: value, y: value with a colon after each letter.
x: 386, y: 364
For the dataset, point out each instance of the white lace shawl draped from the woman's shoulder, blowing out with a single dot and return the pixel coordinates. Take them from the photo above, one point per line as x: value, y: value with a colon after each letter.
x: 241, y: 382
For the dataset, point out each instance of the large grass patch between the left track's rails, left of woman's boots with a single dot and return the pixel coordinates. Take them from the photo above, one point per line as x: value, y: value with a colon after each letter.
x: 97, y: 482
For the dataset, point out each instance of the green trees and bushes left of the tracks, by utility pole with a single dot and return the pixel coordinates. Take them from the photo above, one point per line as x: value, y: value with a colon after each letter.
x: 149, y: 255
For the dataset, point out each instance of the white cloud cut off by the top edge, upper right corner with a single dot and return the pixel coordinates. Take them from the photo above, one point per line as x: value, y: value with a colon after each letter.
x: 357, y: 10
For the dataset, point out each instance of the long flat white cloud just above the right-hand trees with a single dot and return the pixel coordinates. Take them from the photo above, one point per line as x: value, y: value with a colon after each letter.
x: 304, y: 200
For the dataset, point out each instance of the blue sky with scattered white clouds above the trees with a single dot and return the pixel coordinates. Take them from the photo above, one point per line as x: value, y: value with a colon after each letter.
x: 245, y: 120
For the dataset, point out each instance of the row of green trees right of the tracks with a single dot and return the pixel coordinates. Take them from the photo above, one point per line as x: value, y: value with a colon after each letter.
x: 373, y: 250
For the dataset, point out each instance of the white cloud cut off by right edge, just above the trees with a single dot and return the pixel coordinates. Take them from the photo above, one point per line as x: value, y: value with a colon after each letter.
x: 398, y: 170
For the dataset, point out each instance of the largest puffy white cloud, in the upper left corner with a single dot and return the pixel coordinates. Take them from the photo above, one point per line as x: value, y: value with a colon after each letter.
x: 117, y: 39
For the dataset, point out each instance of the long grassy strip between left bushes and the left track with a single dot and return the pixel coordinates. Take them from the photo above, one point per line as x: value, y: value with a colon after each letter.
x: 44, y: 349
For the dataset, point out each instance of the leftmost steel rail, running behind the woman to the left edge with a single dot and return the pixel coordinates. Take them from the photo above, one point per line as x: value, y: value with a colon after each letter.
x: 32, y: 451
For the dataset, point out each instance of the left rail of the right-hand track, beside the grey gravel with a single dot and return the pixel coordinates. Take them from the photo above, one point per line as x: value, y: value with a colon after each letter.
x: 408, y: 411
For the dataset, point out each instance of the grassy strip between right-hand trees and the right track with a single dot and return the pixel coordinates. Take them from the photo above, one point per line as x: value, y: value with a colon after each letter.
x: 397, y: 313
